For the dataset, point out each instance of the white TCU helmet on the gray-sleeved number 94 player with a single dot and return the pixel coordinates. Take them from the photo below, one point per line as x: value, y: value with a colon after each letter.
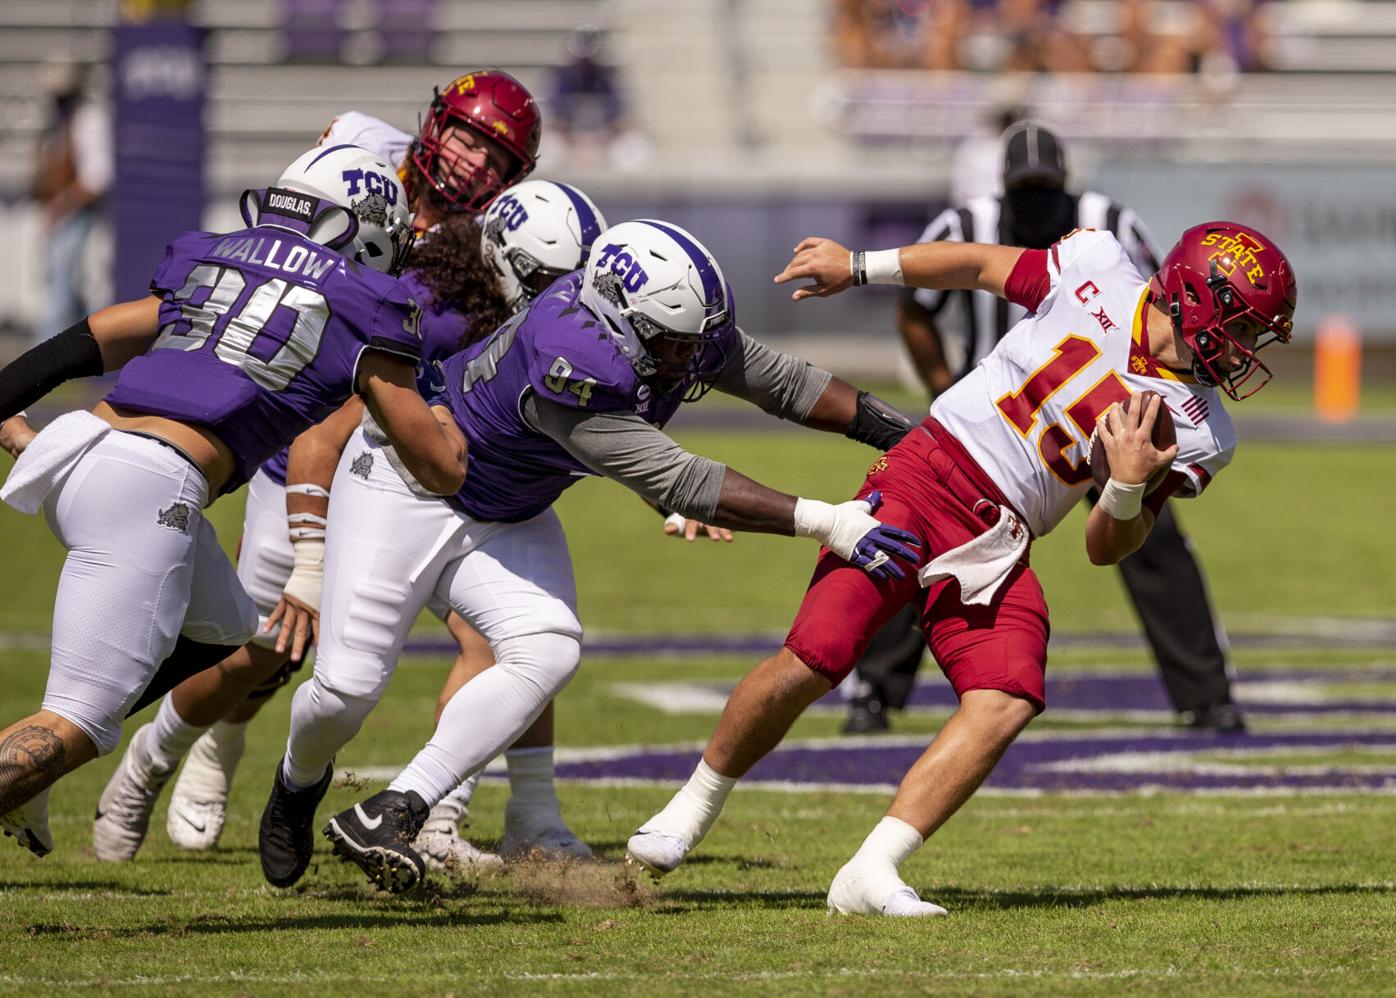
x: 657, y: 285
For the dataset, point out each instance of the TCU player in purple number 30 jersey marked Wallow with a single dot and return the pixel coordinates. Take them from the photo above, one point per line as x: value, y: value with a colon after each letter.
x: 248, y: 340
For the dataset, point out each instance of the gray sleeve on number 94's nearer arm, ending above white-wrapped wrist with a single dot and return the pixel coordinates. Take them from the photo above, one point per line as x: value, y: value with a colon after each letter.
x: 630, y: 452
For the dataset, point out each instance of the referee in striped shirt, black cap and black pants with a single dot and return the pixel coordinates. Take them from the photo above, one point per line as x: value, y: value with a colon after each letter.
x: 949, y: 334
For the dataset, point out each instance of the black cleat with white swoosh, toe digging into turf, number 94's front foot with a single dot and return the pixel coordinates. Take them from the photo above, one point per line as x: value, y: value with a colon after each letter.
x: 378, y: 838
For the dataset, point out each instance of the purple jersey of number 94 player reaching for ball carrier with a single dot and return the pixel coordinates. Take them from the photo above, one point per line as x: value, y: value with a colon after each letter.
x: 558, y: 350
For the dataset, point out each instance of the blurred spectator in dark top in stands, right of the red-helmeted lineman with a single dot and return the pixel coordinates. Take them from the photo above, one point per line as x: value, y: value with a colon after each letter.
x: 587, y: 110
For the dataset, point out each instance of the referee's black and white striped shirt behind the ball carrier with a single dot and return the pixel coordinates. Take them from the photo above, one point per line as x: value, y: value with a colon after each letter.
x: 972, y: 323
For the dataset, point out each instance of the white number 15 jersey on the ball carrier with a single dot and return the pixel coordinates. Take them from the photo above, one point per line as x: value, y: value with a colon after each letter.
x: 1028, y: 411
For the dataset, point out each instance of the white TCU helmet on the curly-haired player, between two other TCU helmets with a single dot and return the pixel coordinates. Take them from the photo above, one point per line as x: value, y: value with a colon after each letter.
x: 534, y: 234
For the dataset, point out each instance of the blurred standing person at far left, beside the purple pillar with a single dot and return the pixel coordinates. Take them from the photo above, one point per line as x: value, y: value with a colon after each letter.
x: 73, y: 172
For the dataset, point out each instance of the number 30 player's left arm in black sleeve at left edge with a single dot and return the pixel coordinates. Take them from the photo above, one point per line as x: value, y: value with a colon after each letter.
x: 101, y: 343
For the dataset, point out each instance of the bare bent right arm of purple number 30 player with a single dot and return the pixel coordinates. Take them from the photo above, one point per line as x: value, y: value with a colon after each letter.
x: 426, y: 439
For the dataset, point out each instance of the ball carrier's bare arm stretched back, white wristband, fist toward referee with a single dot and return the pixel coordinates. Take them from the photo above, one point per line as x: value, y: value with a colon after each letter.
x: 833, y: 267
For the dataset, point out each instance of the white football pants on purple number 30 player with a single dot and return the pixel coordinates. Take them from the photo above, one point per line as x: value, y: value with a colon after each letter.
x: 143, y: 567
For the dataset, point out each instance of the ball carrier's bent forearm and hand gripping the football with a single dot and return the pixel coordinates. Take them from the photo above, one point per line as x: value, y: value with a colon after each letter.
x: 1120, y: 523
